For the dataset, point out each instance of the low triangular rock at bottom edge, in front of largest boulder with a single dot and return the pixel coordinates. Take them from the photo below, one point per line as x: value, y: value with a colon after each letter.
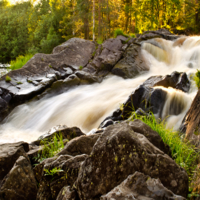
x: 139, y: 186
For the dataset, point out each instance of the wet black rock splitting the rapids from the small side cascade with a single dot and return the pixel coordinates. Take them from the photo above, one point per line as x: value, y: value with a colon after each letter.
x: 149, y: 98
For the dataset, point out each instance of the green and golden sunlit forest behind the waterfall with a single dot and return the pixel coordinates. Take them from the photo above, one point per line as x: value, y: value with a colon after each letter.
x: 35, y: 26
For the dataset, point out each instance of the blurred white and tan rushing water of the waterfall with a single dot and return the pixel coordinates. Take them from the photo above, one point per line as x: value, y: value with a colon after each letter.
x: 86, y: 106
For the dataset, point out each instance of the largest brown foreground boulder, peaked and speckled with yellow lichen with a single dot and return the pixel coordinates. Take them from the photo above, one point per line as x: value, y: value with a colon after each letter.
x: 120, y: 152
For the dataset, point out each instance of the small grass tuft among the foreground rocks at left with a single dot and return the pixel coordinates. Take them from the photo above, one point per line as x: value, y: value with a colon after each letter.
x: 51, y: 148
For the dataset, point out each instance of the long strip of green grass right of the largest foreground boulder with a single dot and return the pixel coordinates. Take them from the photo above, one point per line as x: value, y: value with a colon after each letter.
x: 183, y: 153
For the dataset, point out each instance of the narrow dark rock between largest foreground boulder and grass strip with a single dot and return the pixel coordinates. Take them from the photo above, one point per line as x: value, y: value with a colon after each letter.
x: 140, y: 127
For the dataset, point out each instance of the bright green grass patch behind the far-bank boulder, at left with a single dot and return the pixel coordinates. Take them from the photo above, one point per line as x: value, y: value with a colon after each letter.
x: 20, y: 61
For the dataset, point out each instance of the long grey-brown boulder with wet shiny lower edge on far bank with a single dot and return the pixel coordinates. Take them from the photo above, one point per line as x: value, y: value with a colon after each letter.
x: 42, y: 70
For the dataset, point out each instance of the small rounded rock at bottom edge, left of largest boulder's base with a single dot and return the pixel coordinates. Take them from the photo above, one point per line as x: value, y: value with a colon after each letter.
x: 67, y: 194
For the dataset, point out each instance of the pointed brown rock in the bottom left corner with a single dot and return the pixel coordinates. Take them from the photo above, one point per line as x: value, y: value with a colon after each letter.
x: 20, y: 183
